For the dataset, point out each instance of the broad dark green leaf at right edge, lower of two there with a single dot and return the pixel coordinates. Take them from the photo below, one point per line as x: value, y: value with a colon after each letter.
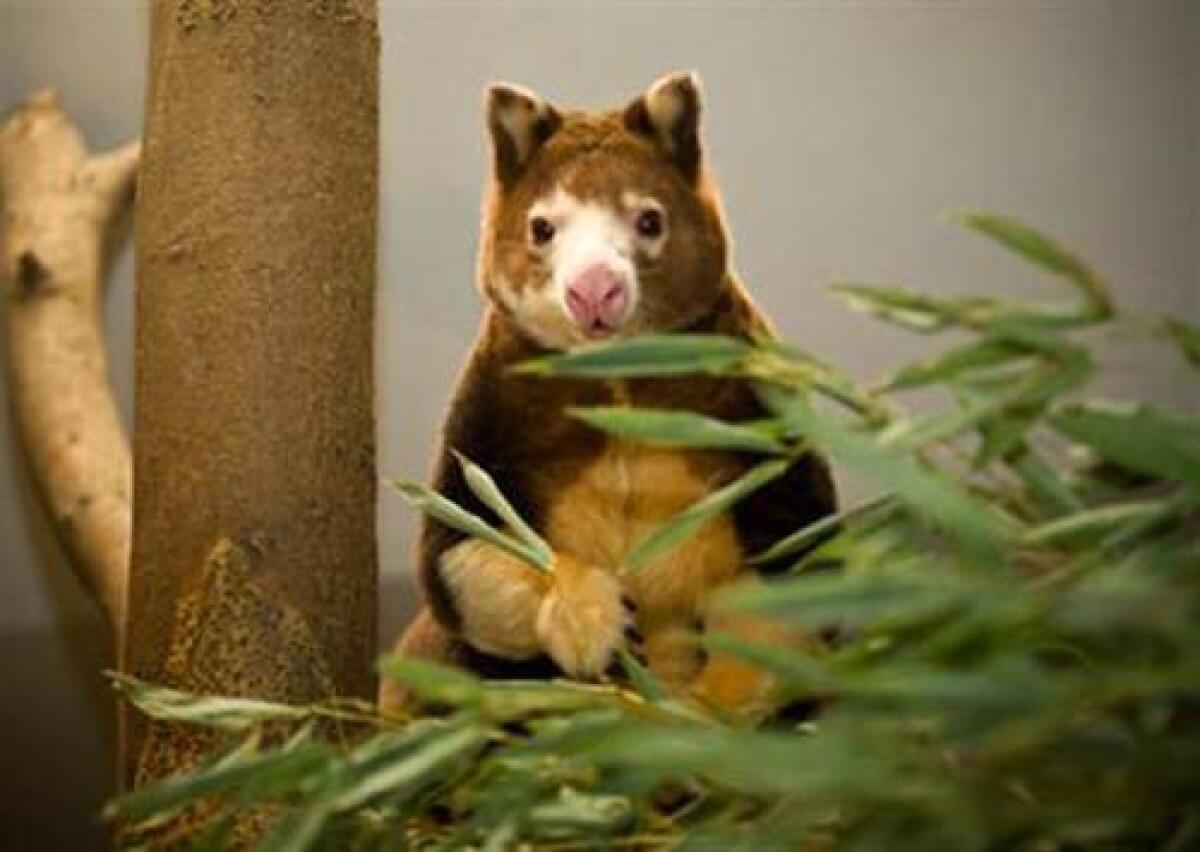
x: 1138, y: 439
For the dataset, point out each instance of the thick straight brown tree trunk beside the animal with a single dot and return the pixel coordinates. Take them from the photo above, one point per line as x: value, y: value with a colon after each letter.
x: 254, y: 566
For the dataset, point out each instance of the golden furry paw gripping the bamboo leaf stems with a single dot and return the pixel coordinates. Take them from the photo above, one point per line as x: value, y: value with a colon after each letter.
x: 583, y: 620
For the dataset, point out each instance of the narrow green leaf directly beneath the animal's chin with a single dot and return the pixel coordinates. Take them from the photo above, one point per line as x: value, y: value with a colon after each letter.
x: 650, y: 356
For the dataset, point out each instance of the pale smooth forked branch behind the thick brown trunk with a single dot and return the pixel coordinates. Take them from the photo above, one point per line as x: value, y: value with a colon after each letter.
x: 63, y: 209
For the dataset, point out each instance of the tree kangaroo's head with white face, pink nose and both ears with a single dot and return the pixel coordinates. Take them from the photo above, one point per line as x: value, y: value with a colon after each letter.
x: 601, y: 225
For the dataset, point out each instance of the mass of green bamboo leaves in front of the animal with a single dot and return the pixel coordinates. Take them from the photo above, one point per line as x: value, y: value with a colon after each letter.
x: 1018, y: 611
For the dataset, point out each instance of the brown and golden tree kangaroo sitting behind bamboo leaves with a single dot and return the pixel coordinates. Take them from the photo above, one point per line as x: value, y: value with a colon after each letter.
x: 601, y: 226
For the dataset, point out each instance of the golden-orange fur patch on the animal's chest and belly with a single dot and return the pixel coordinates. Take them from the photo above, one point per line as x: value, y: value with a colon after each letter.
x: 626, y: 494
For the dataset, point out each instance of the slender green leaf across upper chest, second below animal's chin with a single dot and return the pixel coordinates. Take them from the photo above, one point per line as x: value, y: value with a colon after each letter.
x: 677, y: 429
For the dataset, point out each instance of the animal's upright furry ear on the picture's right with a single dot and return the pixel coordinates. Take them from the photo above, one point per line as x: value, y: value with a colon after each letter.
x: 669, y: 113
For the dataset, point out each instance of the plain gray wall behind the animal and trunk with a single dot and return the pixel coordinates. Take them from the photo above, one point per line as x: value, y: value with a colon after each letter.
x: 842, y: 134
